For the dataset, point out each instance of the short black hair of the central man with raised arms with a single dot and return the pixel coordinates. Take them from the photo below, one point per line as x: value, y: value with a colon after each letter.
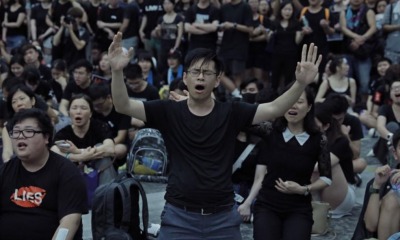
x: 204, y: 54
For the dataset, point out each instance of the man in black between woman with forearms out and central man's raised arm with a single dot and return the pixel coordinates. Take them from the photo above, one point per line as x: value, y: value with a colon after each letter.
x: 119, y: 123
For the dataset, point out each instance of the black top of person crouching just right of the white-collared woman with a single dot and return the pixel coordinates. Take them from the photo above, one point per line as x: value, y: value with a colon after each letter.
x: 341, y: 149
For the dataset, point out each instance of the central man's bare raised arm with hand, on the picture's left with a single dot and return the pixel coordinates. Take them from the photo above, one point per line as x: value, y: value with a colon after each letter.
x: 118, y: 60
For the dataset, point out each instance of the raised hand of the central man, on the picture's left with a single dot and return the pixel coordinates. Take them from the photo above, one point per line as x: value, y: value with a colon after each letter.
x: 117, y: 57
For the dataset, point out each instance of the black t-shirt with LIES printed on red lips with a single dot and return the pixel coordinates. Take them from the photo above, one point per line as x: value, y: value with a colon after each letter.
x: 33, y: 203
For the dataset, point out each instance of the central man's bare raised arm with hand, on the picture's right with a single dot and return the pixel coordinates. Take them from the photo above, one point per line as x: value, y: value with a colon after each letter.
x: 306, y: 71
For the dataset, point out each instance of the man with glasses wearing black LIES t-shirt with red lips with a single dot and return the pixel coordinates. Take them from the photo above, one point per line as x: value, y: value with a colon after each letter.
x: 42, y: 194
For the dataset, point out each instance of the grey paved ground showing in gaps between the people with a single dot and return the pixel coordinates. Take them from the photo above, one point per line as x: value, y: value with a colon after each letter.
x: 341, y: 229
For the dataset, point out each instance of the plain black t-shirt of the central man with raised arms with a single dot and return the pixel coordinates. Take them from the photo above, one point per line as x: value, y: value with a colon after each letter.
x: 200, y: 149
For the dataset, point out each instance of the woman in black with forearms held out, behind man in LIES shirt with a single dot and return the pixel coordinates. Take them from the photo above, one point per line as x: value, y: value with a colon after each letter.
x: 86, y: 141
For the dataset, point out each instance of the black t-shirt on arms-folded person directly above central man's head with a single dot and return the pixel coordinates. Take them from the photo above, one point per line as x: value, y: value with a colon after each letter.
x: 196, y: 14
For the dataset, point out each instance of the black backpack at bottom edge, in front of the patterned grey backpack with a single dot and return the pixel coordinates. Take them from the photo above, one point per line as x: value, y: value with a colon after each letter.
x: 115, y: 212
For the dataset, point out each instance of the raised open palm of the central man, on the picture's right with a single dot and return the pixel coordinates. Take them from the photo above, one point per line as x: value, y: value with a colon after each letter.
x: 307, y: 69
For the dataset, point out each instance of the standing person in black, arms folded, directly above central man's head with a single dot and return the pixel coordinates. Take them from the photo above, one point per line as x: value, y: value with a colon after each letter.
x: 201, y: 21
